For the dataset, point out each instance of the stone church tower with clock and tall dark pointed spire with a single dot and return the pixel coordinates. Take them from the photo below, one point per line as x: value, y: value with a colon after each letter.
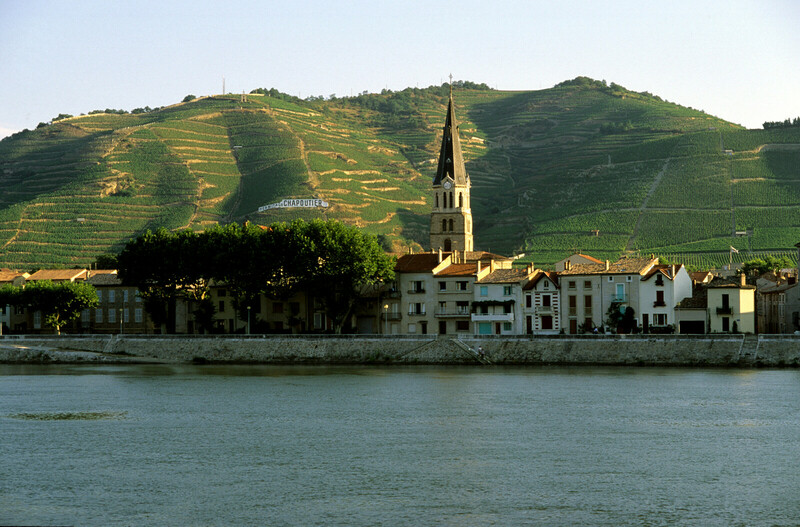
x: 451, y: 217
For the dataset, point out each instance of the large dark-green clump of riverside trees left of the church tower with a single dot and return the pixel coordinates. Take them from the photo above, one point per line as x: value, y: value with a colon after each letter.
x: 327, y: 259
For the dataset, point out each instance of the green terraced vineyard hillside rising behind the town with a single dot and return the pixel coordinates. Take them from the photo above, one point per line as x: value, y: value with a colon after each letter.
x: 581, y: 166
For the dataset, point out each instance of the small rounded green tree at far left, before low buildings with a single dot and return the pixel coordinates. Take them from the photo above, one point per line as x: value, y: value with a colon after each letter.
x: 59, y: 303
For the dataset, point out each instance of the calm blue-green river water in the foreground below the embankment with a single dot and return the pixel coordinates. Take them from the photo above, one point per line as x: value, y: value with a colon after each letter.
x: 293, y: 445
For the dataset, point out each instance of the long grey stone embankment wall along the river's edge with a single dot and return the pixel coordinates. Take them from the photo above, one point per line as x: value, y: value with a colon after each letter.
x: 655, y: 350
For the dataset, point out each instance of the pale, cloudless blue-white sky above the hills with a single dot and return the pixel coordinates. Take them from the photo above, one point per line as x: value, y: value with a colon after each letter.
x: 738, y: 60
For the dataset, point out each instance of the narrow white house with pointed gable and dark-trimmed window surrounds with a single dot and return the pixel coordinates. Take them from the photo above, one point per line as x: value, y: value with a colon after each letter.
x: 542, y: 308
